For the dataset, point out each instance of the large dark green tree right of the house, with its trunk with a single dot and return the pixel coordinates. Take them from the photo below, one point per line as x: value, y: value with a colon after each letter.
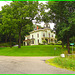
x: 61, y: 13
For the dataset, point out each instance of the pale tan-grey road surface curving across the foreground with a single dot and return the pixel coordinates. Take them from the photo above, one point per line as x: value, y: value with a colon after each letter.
x: 29, y: 65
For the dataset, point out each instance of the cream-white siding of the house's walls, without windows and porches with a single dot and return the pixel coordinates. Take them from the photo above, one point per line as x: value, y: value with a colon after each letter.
x: 40, y: 36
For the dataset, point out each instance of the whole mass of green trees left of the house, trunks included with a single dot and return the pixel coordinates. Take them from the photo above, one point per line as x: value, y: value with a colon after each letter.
x: 16, y: 20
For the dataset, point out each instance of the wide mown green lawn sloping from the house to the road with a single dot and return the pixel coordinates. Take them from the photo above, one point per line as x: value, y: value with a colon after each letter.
x: 37, y: 50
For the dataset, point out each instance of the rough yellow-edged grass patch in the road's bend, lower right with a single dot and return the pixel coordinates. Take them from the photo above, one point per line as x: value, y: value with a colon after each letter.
x: 66, y: 63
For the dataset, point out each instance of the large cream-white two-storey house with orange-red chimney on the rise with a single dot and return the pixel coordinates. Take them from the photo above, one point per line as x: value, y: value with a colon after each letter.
x: 38, y: 35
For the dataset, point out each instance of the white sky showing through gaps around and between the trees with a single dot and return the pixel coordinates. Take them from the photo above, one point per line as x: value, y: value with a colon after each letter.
x: 2, y: 3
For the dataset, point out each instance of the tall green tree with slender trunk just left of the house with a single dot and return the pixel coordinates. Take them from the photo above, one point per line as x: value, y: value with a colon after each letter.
x: 24, y: 12
